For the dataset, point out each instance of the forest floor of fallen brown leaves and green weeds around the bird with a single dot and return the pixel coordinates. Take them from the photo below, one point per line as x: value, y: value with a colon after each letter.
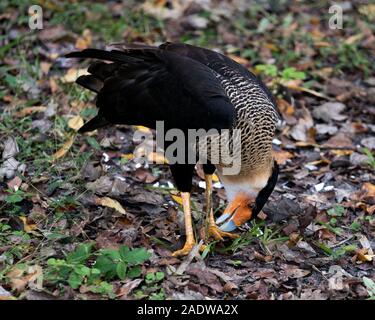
x: 79, y: 219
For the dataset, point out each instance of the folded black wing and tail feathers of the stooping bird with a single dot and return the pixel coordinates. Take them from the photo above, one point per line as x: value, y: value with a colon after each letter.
x: 141, y: 86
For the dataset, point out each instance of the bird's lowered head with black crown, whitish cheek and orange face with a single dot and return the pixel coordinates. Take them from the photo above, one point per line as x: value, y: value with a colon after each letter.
x: 247, y: 196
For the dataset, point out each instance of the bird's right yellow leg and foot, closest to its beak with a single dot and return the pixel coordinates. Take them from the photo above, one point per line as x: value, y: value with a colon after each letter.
x: 212, y: 229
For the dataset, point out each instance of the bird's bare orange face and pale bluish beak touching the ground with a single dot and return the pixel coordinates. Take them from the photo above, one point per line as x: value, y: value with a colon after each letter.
x: 236, y: 214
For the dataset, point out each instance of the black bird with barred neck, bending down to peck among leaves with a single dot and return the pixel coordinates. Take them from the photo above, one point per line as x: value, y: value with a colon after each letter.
x: 189, y: 87
